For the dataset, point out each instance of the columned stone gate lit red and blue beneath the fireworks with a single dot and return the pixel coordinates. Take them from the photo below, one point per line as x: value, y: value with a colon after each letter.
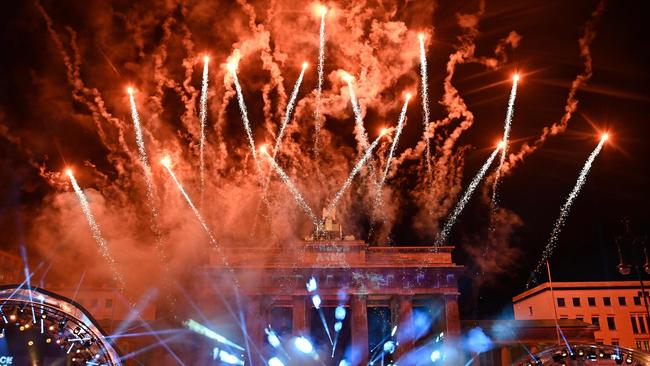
x: 396, y: 284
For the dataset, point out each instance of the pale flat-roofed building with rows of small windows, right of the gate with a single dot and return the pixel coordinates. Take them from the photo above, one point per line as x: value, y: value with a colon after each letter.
x: 618, y: 309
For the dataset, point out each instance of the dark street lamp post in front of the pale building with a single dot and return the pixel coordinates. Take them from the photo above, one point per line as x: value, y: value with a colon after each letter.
x: 637, y: 245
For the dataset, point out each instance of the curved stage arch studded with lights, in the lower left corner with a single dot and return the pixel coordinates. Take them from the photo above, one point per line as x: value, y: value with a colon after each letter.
x: 38, y: 327
